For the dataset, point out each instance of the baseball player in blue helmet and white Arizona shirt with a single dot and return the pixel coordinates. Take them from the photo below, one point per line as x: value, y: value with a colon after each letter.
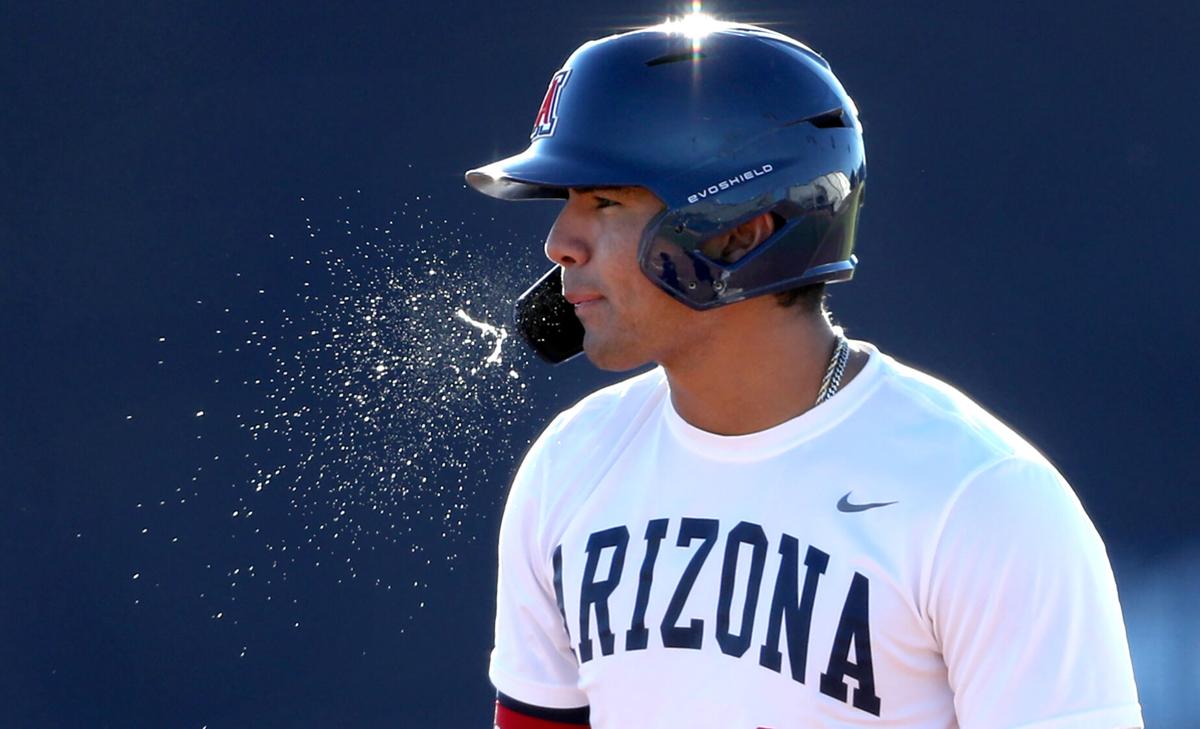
x: 777, y: 527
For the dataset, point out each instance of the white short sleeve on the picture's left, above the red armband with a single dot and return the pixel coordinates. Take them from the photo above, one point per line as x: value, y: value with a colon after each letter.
x: 532, y: 660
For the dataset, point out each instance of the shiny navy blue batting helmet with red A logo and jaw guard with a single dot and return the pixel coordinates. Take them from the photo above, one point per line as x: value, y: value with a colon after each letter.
x: 723, y: 124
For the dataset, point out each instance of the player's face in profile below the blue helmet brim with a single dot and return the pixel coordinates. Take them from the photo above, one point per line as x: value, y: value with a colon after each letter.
x: 628, y: 321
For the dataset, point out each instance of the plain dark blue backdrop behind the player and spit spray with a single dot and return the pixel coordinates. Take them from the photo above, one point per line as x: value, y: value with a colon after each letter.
x: 244, y: 213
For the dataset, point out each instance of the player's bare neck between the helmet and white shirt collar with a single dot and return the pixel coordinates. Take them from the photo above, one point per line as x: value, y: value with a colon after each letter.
x: 761, y: 367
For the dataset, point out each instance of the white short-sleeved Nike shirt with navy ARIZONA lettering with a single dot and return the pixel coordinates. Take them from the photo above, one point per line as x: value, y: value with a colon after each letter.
x: 896, y: 557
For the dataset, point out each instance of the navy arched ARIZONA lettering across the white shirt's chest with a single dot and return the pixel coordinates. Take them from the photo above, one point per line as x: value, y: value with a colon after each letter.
x: 793, y: 594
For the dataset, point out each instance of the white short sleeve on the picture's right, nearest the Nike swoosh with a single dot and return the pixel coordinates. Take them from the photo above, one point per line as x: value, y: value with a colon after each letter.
x: 1025, y: 608
